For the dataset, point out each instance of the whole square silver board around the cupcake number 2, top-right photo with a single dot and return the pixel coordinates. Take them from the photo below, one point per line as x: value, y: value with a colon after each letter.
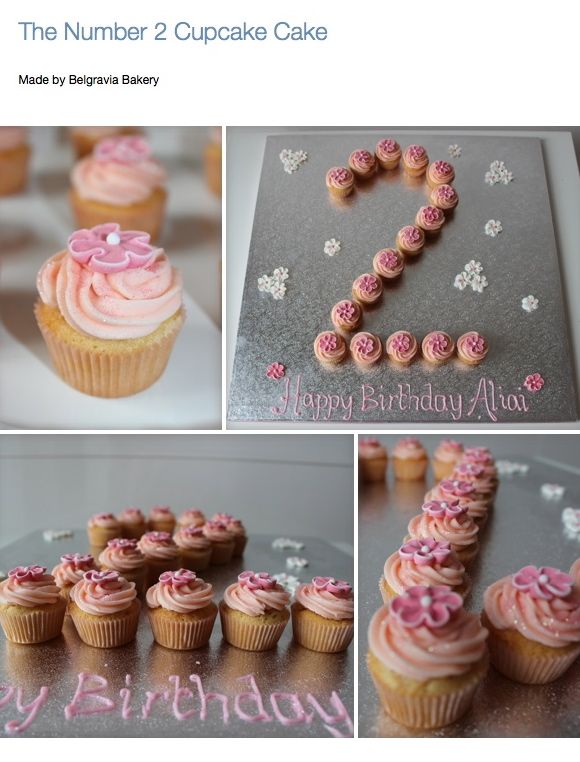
x: 294, y: 217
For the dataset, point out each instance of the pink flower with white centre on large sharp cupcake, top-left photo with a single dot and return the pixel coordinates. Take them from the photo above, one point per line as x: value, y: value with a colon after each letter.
x: 108, y: 249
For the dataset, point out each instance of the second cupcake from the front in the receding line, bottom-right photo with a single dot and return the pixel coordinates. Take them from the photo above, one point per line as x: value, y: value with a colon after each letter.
x: 423, y: 561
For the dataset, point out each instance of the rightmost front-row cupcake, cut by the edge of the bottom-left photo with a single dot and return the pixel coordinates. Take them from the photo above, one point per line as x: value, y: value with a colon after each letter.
x: 323, y: 615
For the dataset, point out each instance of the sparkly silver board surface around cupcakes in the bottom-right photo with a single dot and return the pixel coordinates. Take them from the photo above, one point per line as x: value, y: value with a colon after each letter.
x: 524, y: 528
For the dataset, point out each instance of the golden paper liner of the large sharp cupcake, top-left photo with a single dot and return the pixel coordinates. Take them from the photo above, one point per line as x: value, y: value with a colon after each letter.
x: 109, y: 374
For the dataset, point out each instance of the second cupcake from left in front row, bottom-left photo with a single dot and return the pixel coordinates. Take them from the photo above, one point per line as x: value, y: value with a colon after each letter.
x: 104, y: 609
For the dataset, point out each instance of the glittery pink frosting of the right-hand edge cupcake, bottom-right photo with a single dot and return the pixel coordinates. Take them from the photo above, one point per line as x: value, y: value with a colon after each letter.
x: 541, y: 604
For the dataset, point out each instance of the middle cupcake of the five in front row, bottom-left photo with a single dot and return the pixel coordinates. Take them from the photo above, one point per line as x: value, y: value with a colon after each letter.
x: 181, y: 610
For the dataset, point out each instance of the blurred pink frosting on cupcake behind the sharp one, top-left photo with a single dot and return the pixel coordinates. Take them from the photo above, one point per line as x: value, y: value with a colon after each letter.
x: 120, y: 172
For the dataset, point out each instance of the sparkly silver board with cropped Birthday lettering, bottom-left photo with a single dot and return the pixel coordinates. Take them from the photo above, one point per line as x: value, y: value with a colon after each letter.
x: 288, y: 669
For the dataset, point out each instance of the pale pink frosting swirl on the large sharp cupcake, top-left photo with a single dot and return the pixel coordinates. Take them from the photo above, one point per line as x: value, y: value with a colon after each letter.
x: 115, y: 305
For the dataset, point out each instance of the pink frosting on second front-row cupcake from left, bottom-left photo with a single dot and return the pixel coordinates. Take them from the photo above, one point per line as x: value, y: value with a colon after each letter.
x: 103, y: 593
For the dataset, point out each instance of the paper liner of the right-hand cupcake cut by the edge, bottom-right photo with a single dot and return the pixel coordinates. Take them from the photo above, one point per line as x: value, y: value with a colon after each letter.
x: 525, y: 667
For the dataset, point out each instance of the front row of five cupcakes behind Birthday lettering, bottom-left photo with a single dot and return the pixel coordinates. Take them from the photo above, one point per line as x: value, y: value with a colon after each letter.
x: 105, y: 610
